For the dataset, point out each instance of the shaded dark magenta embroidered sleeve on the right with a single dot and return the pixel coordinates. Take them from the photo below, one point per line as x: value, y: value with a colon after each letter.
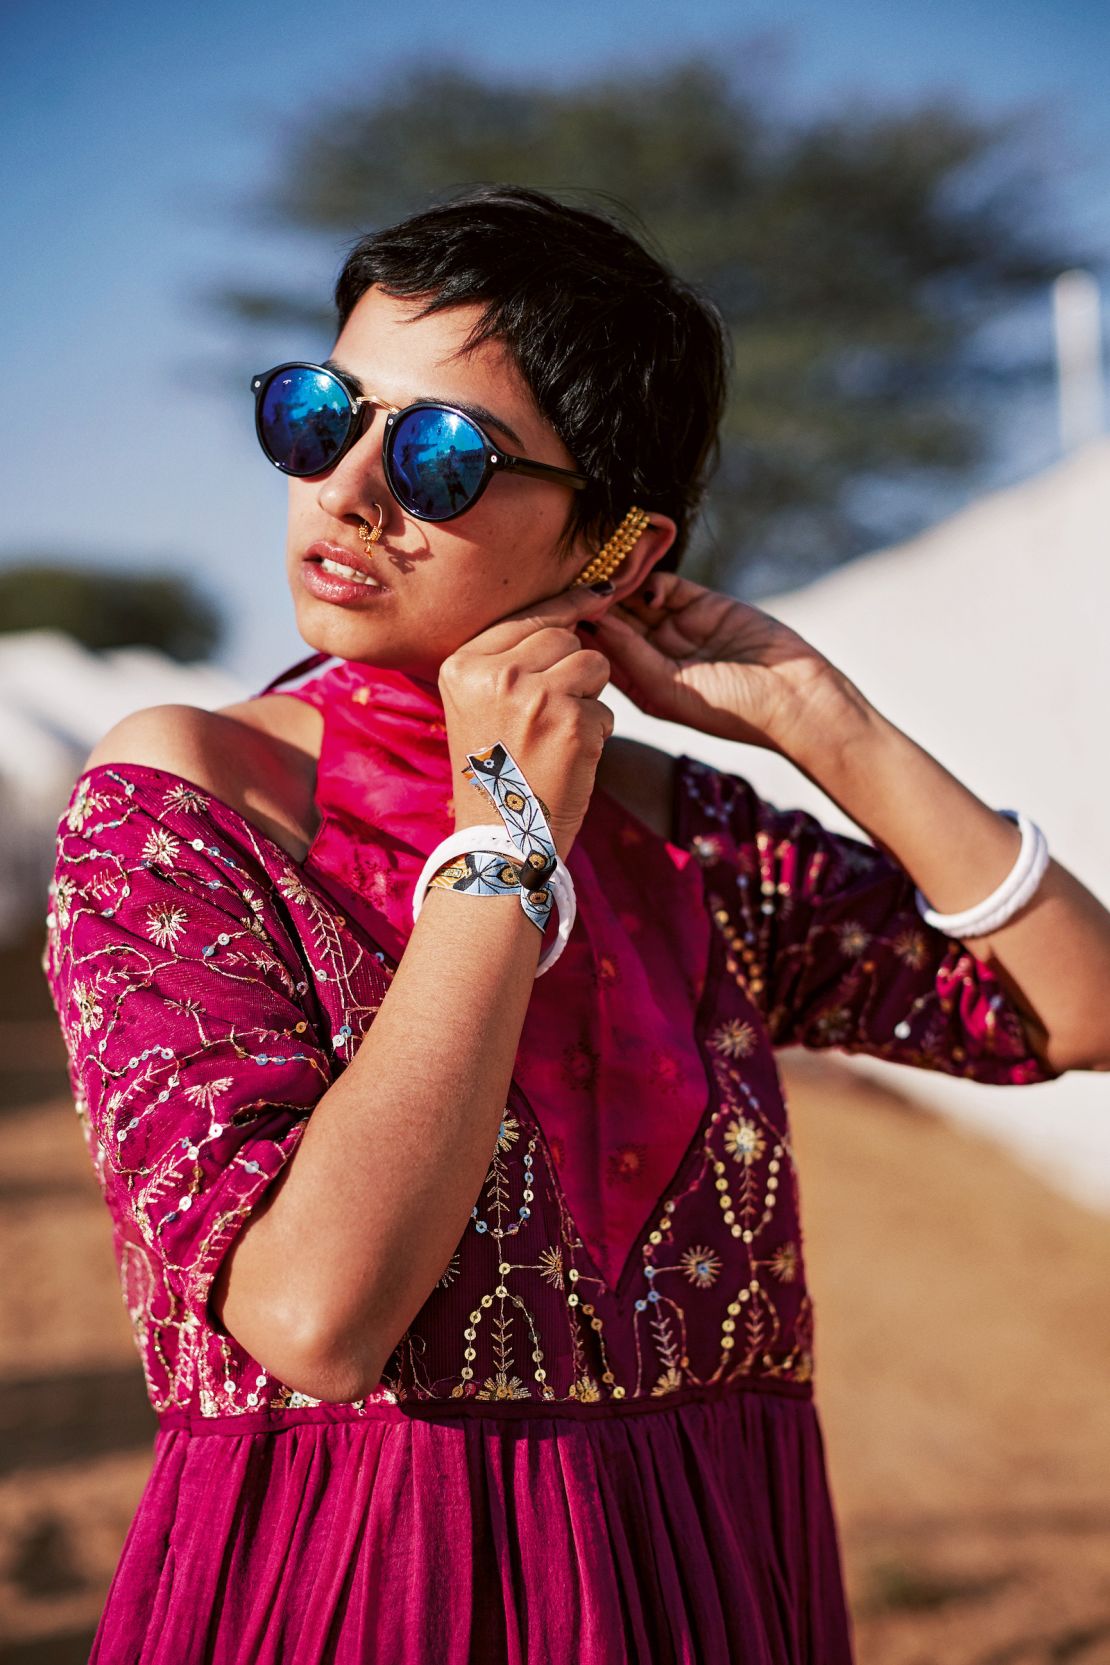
x: 826, y: 935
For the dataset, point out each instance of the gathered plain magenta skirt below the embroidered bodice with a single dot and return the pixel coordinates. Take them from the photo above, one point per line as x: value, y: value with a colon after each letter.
x: 691, y: 1529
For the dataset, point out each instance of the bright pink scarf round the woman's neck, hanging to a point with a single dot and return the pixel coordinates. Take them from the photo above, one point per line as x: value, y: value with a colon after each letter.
x: 608, y: 1056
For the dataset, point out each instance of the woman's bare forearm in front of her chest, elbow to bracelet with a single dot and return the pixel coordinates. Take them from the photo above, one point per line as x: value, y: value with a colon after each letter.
x: 355, y: 1235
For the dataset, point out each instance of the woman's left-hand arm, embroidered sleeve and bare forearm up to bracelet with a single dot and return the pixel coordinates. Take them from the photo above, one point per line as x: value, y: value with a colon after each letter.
x: 202, y: 1076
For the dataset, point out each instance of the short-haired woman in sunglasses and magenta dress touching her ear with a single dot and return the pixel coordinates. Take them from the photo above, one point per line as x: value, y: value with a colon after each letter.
x: 462, y: 1238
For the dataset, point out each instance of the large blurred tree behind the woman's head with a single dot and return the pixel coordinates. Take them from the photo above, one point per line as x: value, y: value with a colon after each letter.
x: 856, y: 259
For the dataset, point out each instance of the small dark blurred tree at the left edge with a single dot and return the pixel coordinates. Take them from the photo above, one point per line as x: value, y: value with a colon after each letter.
x: 111, y: 609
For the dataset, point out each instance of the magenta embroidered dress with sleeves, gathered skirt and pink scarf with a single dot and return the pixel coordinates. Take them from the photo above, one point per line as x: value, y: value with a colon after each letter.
x: 598, y: 1439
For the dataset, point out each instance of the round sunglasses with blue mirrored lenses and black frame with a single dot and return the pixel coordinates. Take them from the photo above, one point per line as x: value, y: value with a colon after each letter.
x: 437, y: 459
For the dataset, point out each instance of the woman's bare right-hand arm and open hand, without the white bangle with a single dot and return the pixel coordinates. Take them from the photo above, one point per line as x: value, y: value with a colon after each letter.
x: 690, y: 655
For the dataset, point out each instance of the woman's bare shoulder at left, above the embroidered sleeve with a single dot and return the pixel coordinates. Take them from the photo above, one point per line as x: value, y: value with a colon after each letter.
x: 254, y: 758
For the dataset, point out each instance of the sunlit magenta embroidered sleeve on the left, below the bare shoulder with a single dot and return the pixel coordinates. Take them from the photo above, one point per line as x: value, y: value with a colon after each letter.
x: 187, y: 1020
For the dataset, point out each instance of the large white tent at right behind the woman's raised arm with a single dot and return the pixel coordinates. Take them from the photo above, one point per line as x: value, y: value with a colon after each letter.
x: 984, y: 639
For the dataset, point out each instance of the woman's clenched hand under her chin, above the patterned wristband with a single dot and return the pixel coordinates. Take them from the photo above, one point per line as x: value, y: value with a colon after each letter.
x: 528, y: 683
